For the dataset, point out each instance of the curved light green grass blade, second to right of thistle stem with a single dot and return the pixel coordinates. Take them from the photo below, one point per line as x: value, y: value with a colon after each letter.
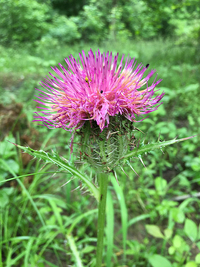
x: 124, y: 213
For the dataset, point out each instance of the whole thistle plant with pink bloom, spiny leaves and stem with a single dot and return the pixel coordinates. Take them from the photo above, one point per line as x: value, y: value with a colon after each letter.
x: 98, y: 101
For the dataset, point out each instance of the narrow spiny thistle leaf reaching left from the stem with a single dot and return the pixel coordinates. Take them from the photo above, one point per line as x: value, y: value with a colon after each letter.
x: 57, y: 160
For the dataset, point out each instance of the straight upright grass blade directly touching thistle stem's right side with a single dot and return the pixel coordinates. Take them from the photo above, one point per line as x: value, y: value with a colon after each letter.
x: 109, y: 228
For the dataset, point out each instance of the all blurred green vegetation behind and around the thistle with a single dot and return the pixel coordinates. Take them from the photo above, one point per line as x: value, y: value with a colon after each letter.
x: 153, y: 218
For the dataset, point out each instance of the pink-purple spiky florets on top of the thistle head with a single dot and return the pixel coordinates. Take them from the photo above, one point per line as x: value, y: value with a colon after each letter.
x: 94, y: 89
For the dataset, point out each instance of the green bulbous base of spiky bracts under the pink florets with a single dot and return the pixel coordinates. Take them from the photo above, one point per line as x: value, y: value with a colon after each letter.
x: 104, y: 150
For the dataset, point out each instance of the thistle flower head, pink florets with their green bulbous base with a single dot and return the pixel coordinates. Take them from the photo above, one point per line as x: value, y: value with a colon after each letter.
x: 93, y: 94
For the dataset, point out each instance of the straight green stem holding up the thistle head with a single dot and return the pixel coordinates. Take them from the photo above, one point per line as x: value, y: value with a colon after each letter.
x: 103, y: 182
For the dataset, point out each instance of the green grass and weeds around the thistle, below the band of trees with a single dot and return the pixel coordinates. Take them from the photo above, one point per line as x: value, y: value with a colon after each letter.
x: 43, y: 223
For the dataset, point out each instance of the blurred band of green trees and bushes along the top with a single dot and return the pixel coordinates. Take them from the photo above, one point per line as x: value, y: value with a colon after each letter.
x: 92, y: 20
